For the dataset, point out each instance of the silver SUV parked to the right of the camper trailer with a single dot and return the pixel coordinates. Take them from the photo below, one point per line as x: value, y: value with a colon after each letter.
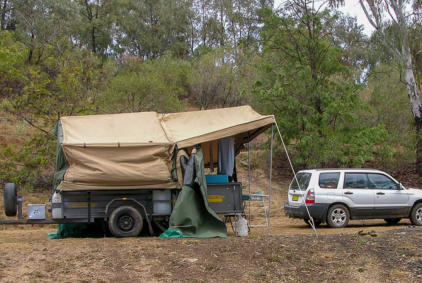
x: 337, y: 195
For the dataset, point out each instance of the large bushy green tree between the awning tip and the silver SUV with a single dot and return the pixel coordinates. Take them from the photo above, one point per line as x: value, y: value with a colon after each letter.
x: 310, y: 90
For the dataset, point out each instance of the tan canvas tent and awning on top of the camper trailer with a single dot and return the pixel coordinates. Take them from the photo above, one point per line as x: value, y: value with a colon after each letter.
x: 135, y: 150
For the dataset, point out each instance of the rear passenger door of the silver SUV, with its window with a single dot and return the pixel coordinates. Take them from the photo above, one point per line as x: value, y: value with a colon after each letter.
x: 357, y: 194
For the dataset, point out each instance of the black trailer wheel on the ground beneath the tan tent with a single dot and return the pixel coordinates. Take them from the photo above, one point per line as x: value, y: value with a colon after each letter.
x: 125, y: 221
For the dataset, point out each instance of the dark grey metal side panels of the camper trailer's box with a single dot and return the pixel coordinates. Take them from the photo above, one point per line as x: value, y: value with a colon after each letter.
x: 85, y: 205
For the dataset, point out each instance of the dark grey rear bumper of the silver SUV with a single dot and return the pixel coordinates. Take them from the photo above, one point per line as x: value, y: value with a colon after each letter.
x: 318, y: 211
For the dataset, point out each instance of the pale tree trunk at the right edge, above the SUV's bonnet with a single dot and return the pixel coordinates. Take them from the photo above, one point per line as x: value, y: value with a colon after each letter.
x: 416, y: 107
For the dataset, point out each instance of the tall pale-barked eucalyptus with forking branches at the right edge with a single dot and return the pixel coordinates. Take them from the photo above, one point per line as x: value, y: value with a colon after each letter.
x: 393, y: 21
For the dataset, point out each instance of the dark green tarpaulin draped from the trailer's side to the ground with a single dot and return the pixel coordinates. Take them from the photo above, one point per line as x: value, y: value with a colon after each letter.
x: 191, y: 216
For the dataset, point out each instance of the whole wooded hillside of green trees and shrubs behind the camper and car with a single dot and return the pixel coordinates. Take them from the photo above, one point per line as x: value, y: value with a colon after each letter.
x: 305, y: 65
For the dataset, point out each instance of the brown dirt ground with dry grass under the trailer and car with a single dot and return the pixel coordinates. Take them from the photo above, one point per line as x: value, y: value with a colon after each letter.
x: 289, y: 252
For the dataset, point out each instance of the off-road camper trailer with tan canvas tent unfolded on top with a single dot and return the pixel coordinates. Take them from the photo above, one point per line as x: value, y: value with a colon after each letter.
x: 128, y: 169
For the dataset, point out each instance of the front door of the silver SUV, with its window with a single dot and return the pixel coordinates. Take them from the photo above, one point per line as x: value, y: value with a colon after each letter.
x: 390, y: 199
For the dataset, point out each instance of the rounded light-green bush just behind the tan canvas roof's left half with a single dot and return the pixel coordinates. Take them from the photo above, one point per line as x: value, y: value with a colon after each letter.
x: 148, y: 86
